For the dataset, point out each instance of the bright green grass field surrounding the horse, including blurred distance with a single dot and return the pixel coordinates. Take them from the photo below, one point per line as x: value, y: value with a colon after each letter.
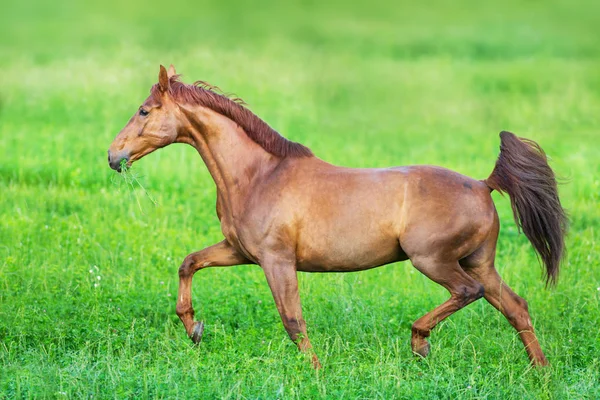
x: 88, y: 267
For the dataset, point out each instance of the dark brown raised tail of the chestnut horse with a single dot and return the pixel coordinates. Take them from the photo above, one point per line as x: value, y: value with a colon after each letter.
x: 523, y: 172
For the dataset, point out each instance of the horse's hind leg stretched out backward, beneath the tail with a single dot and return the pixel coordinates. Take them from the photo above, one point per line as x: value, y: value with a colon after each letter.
x: 514, y: 308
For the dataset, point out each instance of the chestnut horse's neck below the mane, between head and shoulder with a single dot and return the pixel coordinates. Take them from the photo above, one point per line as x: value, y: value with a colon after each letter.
x: 235, y: 162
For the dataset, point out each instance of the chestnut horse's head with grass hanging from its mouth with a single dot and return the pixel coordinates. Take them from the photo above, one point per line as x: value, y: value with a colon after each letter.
x: 153, y: 126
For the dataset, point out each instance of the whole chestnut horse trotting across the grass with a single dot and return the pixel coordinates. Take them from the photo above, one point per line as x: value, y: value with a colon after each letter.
x: 286, y: 210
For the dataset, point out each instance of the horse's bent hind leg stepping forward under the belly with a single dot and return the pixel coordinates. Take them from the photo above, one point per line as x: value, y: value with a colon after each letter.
x: 463, y: 291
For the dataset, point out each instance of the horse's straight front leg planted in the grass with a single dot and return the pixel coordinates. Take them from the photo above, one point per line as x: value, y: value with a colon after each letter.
x: 283, y: 281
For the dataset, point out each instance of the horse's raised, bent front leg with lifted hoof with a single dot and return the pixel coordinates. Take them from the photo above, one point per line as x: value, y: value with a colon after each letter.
x: 221, y: 254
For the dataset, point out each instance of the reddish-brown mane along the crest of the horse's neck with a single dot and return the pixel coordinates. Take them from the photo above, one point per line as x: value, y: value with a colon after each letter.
x: 204, y: 94
